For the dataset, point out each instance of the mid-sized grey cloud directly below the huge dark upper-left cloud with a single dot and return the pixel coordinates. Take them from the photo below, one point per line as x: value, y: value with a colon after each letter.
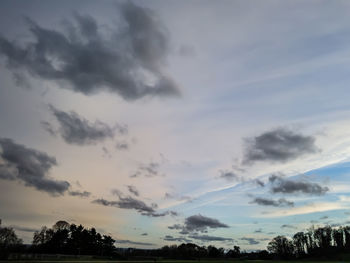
x: 74, y: 129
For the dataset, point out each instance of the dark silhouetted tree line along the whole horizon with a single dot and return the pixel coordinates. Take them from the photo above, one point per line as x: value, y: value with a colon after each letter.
x: 71, y: 239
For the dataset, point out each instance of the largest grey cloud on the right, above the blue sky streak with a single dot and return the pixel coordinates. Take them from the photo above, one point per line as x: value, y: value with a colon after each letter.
x: 279, y: 145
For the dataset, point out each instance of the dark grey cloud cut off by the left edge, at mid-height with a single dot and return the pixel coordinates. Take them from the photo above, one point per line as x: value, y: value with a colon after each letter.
x: 17, y: 162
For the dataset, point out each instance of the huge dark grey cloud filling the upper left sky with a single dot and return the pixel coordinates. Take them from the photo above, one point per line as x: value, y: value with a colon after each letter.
x: 128, y: 60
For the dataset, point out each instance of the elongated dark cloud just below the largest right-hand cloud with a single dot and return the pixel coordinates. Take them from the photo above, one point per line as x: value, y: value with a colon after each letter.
x: 282, y: 185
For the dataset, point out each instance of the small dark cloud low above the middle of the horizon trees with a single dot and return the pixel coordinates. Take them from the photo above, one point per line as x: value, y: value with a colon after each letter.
x: 202, y: 223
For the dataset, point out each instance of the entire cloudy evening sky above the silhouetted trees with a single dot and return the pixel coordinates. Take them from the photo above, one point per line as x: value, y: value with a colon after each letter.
x: 161, y: 122
